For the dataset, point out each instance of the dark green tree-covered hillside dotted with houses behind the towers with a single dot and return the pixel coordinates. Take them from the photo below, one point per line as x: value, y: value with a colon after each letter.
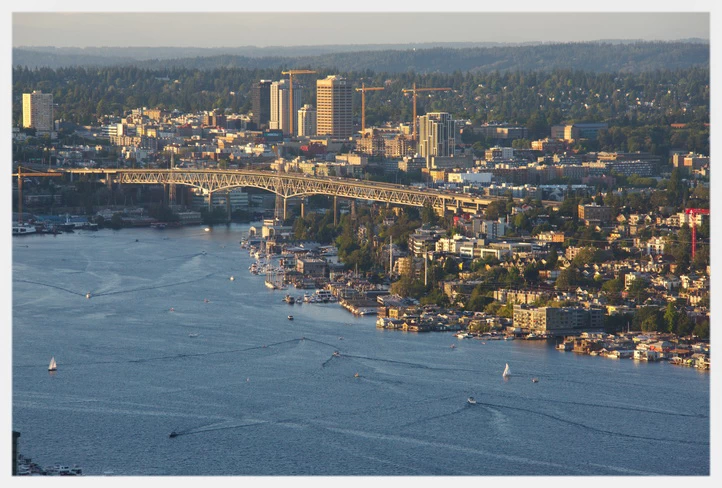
x: 648, y: 102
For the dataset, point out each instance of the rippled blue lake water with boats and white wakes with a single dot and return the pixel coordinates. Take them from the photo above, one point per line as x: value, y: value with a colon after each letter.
x: 256, y: 394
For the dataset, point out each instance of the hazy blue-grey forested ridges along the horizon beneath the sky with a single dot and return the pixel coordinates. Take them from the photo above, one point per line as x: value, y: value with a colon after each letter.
x: 601, y: 56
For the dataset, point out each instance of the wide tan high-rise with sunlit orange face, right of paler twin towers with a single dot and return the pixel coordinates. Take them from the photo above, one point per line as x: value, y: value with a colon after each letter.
x: 333, y: 107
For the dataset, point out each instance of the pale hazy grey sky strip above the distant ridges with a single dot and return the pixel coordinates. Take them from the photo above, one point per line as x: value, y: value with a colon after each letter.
x: 232, y: 29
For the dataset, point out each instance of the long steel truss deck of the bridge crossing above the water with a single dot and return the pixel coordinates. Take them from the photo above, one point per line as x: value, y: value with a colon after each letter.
x: 289, y: 185
